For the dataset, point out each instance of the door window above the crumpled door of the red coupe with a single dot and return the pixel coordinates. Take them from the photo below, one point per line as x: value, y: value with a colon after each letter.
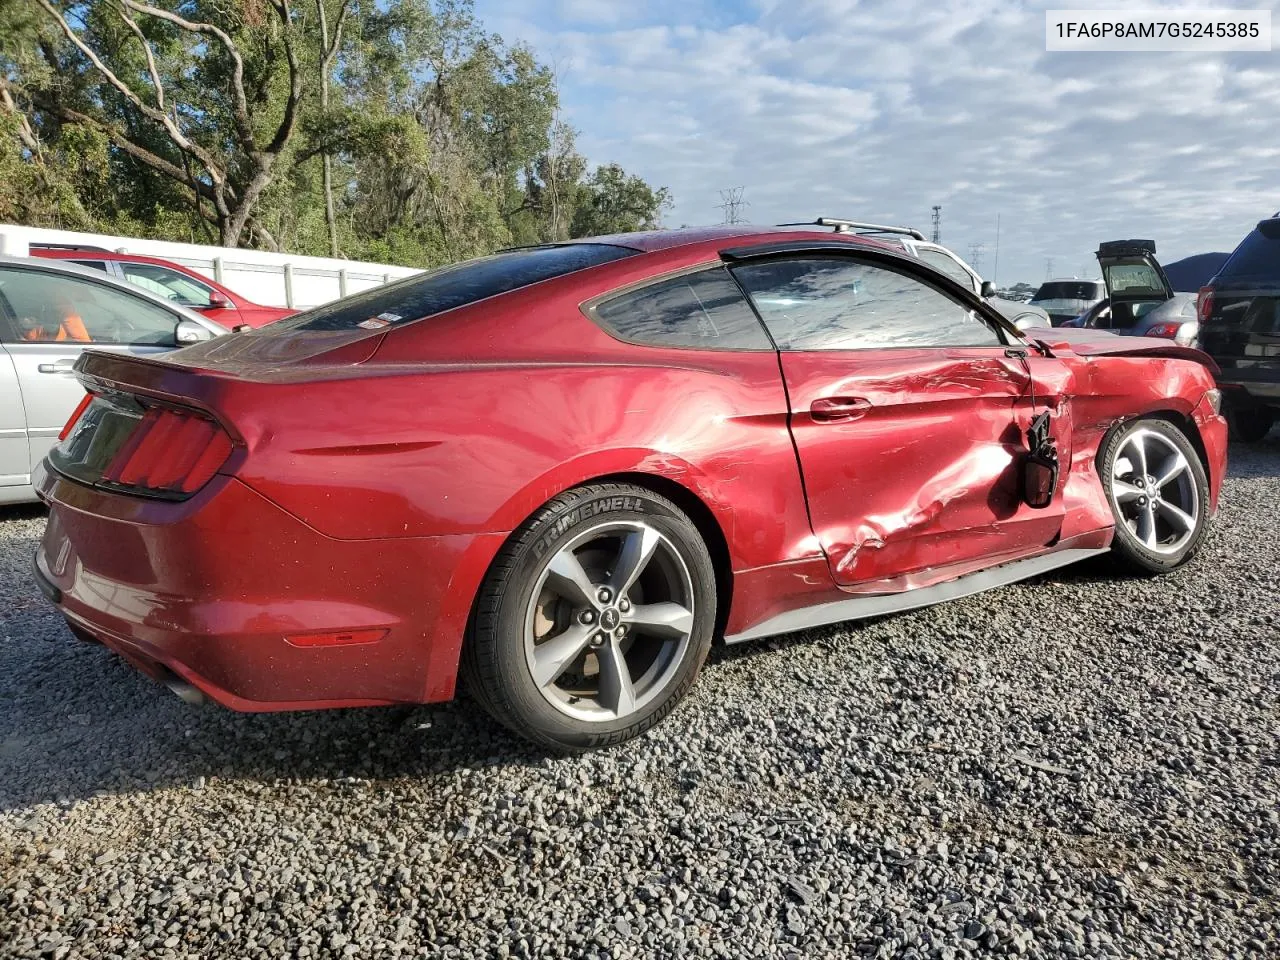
x: 844, y: 304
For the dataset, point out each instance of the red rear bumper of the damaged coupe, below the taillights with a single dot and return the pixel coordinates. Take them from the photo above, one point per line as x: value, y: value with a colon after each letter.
x: 207, y: 592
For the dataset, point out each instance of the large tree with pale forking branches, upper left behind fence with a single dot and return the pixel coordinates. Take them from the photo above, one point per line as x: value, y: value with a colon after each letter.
x: 177, y: 94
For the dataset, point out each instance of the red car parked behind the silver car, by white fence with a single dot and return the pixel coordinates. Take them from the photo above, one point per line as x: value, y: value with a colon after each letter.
x: 172, y: 281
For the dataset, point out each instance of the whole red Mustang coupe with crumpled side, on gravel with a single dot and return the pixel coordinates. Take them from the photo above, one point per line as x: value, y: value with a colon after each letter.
x: 563, y: 470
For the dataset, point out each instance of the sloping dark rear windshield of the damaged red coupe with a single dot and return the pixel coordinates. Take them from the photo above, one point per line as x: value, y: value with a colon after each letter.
x: 449, y: 287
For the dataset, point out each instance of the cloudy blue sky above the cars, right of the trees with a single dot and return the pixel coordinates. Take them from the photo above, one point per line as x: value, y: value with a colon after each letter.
x: 879, y: 111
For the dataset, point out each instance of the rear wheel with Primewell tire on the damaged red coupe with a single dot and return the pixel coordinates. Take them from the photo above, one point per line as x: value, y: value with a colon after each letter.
x: 595, y: 620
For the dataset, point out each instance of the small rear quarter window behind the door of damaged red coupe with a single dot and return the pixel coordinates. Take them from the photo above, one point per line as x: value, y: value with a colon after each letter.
x: 697, y: 310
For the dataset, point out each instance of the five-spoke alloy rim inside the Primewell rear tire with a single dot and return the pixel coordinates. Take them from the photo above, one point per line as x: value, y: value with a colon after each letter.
x: 610, y: 621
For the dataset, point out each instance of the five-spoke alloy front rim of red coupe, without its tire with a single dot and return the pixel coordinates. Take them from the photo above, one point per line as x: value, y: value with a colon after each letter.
x: 1154, y: 492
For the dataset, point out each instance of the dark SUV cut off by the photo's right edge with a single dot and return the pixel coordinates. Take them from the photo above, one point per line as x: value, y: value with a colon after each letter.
x: 1240, y: 314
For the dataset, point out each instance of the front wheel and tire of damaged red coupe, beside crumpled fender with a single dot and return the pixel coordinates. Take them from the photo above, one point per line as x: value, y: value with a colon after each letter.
x: 1159, y: 496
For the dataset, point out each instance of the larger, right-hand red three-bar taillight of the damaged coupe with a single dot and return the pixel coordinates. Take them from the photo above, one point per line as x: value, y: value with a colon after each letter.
x: 170, y: 452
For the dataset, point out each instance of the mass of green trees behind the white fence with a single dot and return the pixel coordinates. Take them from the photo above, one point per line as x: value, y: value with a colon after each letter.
x: 216, y: 125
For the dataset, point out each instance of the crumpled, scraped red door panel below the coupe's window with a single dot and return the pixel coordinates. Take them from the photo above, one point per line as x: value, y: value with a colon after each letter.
x: 930, y: 473
